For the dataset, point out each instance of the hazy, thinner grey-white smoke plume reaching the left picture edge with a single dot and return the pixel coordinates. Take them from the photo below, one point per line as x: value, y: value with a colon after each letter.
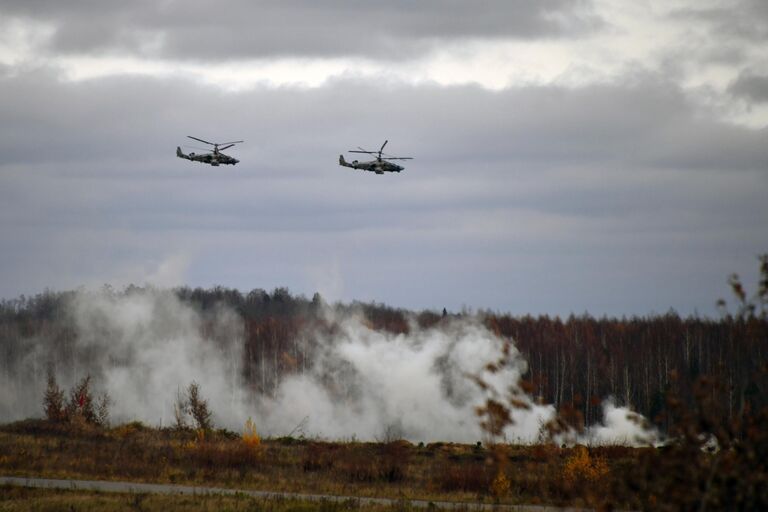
x: 141, y: 348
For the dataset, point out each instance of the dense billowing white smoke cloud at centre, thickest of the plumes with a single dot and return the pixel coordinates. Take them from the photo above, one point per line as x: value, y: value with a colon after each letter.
x: 372, y: 384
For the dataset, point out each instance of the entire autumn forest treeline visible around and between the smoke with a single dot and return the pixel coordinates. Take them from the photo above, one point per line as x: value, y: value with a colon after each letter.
x: 575, y: 362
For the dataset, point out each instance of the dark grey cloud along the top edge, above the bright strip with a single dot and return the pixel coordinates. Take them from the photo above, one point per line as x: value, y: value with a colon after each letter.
x: 244, y: 29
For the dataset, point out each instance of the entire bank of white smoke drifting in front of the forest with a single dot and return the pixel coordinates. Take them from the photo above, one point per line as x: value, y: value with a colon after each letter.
x: 143, y: 347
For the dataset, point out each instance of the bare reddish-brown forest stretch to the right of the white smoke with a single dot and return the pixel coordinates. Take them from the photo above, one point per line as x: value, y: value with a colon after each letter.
x: 642, y: 361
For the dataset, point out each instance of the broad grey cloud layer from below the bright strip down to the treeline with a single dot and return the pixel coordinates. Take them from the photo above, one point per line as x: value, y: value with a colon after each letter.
x: 530, y: 199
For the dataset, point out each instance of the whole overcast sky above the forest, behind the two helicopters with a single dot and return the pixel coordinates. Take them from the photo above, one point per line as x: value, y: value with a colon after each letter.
x: 604, y: 156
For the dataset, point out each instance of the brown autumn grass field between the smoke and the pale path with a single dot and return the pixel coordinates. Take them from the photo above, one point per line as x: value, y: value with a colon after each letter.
x: 398, y: 469
